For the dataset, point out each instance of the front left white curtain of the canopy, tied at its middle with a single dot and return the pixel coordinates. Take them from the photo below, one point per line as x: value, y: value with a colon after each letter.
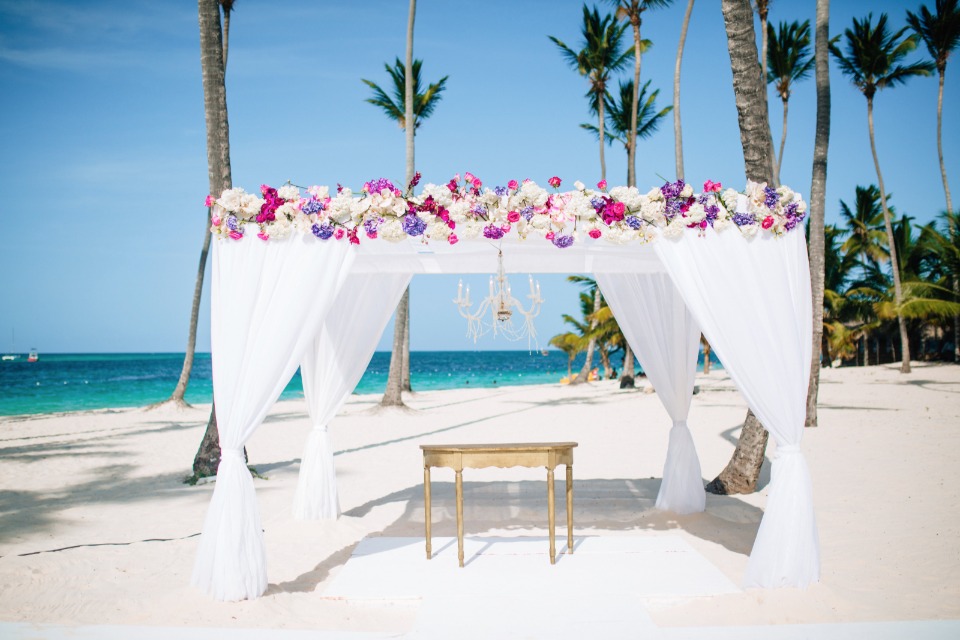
x: 262, y: 295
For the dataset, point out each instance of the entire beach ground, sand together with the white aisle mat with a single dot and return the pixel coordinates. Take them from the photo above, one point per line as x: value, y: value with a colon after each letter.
x: 98, y: 533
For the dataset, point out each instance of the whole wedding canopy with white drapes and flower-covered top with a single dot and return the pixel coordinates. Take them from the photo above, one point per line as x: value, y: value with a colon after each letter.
x: 306, y: 291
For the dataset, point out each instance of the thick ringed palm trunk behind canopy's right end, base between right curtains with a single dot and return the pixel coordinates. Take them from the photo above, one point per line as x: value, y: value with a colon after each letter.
x: 741, y: 473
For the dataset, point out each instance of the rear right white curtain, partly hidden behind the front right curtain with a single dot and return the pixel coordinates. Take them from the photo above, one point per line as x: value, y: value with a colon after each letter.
x: 666, y: 339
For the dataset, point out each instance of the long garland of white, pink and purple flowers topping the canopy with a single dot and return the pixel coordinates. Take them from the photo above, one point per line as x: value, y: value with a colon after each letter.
x: 465, y: 209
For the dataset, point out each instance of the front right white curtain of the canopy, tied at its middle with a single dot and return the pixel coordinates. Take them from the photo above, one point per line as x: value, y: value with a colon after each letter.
x: 751, y: 297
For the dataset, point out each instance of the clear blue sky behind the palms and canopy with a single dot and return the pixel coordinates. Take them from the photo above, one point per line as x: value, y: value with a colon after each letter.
x: 103, y: 161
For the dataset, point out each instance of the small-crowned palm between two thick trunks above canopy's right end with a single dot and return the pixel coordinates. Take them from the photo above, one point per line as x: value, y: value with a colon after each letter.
x: 790, y: 60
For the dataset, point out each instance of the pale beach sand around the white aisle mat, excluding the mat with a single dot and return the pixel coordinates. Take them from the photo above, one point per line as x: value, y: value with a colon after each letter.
x: 883, y: 461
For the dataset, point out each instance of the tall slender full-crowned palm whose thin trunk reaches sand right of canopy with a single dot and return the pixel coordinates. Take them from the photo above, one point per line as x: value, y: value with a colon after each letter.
x: 872, y: 63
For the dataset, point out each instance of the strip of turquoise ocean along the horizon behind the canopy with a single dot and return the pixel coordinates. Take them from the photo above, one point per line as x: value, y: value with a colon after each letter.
x: 78, y: 382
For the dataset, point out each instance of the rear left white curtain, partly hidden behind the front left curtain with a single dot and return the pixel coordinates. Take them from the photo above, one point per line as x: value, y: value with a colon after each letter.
x: 331, y: 368
